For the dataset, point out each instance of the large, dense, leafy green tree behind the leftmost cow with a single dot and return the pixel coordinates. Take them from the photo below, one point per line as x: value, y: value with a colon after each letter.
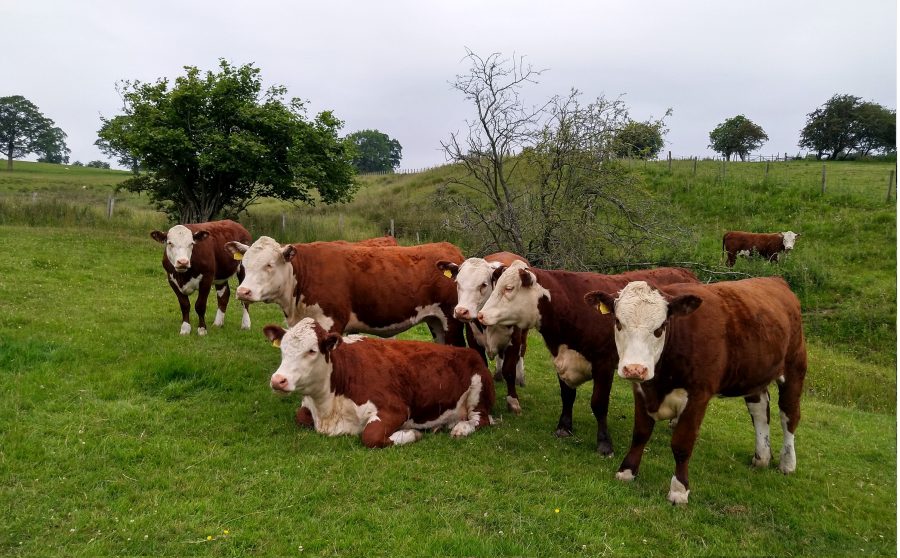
x: 213, y: 143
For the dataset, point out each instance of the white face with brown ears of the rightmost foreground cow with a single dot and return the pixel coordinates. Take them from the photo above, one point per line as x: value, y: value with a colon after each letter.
x: 642, y: 314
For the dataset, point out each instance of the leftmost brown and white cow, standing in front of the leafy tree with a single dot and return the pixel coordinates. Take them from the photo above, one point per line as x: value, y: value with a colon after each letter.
x: 194, y: 260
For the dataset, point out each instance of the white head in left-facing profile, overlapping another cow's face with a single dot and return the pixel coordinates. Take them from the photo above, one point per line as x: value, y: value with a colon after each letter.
x: 514, y: 301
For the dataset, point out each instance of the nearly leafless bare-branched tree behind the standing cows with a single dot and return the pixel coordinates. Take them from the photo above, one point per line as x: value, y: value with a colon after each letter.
x: 540, y: 181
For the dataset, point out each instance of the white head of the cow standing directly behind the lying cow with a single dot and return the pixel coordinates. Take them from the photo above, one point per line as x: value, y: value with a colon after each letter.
x: 267, y: 269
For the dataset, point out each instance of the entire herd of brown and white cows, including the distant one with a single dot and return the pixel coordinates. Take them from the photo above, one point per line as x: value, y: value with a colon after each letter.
x: 678, y: 342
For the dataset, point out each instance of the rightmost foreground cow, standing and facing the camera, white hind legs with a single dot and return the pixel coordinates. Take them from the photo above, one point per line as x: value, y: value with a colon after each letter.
x: 681, y: 345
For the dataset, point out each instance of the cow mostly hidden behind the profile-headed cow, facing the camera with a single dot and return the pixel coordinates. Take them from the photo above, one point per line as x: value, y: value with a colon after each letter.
x: 474, y: 284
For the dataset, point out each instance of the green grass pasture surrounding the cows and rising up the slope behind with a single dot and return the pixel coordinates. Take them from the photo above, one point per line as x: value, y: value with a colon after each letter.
x: 120, y: 437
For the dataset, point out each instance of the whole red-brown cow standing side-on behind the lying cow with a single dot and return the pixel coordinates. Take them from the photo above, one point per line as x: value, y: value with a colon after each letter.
x: 352, y: 288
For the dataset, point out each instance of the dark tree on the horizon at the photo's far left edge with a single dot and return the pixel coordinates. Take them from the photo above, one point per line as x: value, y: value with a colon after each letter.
x: 23, y: 128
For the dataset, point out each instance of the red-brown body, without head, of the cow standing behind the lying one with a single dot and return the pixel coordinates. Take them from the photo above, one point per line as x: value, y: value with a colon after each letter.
x: 382, y: 286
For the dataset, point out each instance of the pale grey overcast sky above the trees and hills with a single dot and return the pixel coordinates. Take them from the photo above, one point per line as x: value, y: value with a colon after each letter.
x: 388, y: 65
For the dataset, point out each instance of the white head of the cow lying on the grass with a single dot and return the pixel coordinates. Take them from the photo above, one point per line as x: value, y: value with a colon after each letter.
x: 305, y: 357
